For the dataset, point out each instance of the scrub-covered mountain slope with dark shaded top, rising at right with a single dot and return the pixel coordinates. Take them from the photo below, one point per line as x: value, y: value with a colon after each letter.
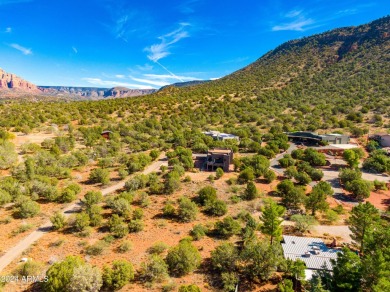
x: 346, y: 62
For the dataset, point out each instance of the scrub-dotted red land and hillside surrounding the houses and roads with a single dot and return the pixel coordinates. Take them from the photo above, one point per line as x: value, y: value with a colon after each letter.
x: 335, y: 81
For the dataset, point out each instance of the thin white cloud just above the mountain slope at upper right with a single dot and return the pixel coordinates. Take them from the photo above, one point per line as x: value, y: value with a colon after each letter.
x: 296, y: 21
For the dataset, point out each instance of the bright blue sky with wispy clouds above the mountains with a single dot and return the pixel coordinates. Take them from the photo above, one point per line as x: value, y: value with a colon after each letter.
x: 148, y: 44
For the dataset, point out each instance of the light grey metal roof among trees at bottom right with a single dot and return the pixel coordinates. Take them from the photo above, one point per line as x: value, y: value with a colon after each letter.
x: 312, y: 251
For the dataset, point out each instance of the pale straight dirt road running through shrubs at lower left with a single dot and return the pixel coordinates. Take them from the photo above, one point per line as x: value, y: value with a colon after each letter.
x: 27, y: 241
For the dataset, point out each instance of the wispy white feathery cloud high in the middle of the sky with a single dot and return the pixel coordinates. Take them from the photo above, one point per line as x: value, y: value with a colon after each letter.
x: 162, y: 49
